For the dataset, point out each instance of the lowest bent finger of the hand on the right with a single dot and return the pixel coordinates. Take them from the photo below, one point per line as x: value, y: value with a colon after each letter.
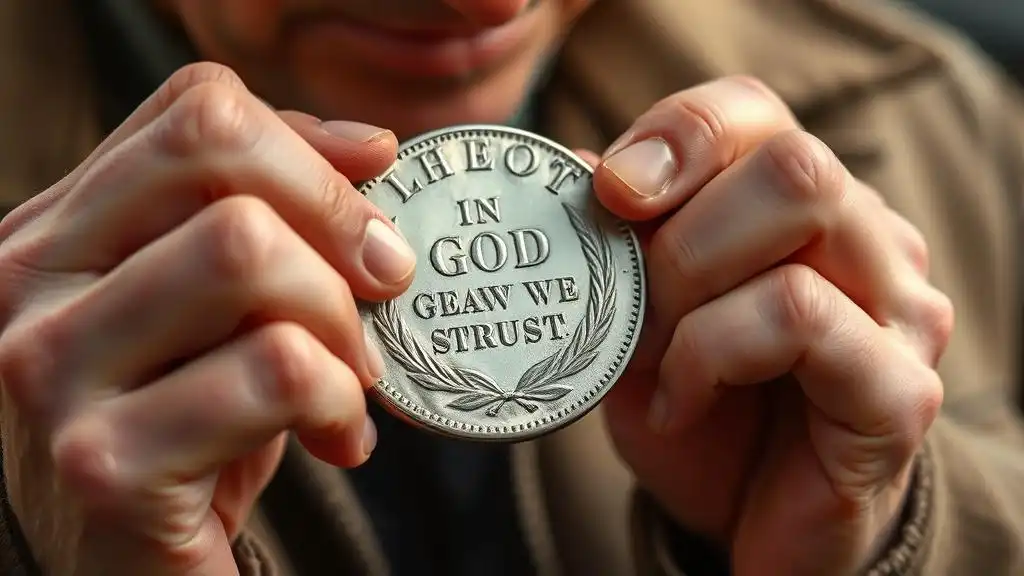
x: 872, y: 392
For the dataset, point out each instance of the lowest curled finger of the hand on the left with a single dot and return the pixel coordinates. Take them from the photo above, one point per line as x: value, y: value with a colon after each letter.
x: 217, y: 409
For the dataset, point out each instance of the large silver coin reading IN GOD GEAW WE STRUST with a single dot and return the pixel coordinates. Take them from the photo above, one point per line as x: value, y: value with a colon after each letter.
x: 529, y: 296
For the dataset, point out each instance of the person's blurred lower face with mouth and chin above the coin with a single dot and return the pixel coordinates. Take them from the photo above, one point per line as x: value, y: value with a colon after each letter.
x: 410, y: 66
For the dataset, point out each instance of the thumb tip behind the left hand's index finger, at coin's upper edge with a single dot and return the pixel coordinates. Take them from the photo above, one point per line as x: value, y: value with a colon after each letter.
x: 359, y: 151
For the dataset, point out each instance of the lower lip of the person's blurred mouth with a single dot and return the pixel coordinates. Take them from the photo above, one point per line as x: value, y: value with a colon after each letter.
x: 441, y: 58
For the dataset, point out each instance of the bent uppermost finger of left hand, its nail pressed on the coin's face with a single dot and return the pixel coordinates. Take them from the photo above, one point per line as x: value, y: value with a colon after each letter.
x: 217, y: 142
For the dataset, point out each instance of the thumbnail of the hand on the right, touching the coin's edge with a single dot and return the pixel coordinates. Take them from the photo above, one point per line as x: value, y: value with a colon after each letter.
x: 648, y: 168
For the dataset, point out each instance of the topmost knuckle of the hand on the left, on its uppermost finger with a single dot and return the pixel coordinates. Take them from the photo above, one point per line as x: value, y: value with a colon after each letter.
x: 210, y: 117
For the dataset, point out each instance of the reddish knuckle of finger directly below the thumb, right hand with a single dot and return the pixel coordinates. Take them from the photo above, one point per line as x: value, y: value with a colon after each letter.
x: 804, y: 170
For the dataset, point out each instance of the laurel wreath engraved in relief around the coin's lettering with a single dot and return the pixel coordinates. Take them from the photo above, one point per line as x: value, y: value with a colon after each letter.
x: 541, y: 383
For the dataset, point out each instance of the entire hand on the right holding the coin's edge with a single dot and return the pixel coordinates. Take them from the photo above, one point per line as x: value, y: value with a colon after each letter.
x: 786, y: 379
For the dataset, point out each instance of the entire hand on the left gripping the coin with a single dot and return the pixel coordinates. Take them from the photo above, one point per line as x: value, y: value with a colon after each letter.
x: 172, y: 310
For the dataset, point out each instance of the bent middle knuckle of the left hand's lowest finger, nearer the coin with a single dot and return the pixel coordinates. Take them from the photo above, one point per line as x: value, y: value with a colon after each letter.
x: 289, y: 354
